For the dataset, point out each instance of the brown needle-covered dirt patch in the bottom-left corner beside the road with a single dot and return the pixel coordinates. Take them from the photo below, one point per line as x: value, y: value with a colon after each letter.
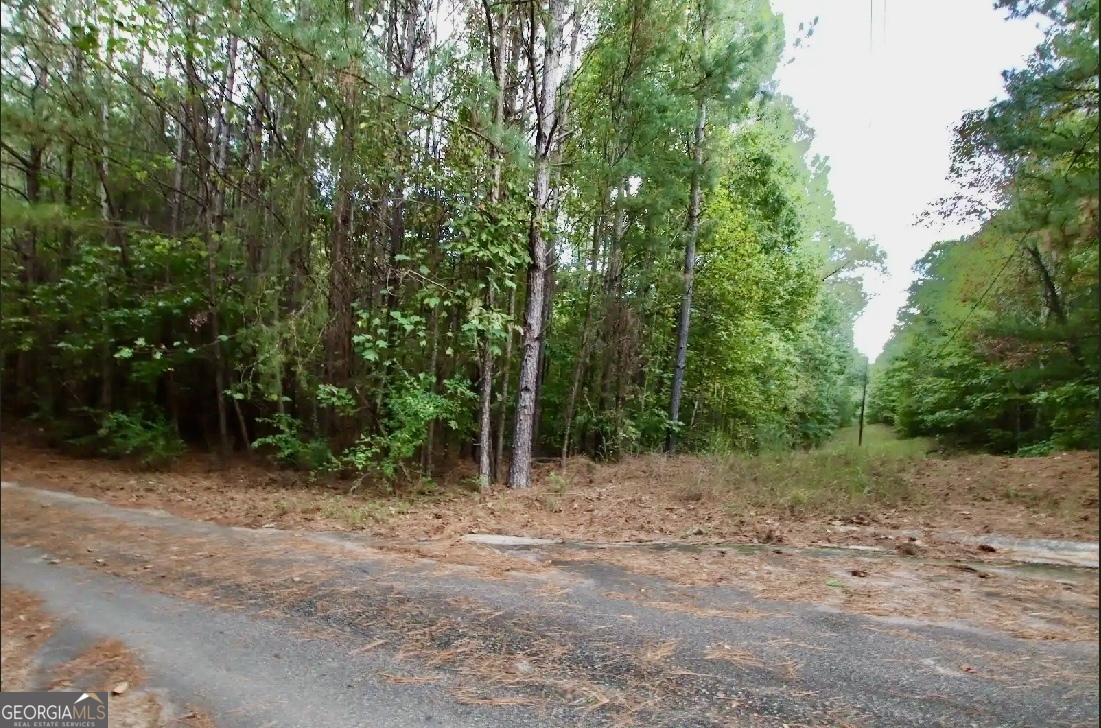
x: 106, y: 667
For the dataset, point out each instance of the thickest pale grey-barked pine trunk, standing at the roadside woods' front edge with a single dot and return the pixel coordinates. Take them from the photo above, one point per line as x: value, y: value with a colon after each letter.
x: 520, y: 472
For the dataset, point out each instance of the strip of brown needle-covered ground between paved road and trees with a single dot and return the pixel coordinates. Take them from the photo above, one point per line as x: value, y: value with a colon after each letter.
x: 802, y: 499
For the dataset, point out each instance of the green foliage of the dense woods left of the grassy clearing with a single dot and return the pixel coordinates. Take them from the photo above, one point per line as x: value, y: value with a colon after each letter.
x: 318, y: 257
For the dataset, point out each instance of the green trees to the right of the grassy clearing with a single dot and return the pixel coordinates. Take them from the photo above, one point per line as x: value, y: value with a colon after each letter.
x: 997, y: 349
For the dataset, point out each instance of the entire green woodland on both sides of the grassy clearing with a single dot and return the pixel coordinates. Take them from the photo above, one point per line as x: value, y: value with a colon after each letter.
x: 373, y: 238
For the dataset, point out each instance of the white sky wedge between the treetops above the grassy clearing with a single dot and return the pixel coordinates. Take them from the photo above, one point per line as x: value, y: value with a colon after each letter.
x: 884, y: 115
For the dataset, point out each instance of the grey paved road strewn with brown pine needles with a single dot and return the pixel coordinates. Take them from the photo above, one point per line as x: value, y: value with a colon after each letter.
x: 264, y: 628
